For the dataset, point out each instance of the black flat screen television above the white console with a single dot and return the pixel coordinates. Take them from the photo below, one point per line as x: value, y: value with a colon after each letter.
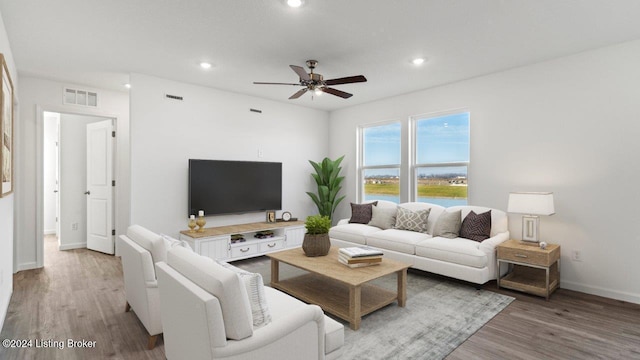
x: 234, y: 187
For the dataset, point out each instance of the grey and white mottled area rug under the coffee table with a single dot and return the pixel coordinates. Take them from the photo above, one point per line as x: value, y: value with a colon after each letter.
x: 439, y: 316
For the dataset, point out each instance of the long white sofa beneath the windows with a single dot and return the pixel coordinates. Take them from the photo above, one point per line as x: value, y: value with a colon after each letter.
x: 458, y: 257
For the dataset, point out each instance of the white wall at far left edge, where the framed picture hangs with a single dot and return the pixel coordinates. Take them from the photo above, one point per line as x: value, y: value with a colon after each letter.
x: 7, y: 203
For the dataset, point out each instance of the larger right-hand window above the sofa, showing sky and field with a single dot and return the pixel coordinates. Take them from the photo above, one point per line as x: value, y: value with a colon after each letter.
x: 441, y: 159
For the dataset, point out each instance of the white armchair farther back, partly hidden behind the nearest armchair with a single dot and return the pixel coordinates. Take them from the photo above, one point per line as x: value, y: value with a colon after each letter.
x: 140, y: 249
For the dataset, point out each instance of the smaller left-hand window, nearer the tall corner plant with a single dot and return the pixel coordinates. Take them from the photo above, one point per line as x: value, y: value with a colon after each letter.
x: 380, y: 162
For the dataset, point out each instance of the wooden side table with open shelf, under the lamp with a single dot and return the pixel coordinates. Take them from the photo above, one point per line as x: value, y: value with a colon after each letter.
x: 535, y: 271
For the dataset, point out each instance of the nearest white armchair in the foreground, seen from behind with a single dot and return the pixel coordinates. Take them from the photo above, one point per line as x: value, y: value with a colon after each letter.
x: 207, y: 315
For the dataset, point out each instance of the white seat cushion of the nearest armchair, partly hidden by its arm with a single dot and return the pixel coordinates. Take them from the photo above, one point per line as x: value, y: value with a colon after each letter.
x: 281, y: 305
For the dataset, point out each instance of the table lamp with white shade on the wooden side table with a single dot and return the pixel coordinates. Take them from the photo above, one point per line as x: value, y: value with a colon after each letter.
x: 531, y: 204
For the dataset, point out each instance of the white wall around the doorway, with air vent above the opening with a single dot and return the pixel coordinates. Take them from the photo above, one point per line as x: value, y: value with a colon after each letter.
x: 47, y: 95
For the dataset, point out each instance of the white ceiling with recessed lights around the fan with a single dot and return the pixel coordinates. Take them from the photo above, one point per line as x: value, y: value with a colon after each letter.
x: 97, y: 43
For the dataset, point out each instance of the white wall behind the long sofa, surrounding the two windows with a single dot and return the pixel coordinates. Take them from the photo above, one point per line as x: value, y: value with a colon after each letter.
x: 570, y: 126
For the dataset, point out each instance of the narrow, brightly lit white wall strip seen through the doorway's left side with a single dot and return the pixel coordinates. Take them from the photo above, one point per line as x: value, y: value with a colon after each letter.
x: 49, y: 164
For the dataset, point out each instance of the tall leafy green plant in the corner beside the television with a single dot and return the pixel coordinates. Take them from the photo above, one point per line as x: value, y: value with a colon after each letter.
x: 329, y: 182
